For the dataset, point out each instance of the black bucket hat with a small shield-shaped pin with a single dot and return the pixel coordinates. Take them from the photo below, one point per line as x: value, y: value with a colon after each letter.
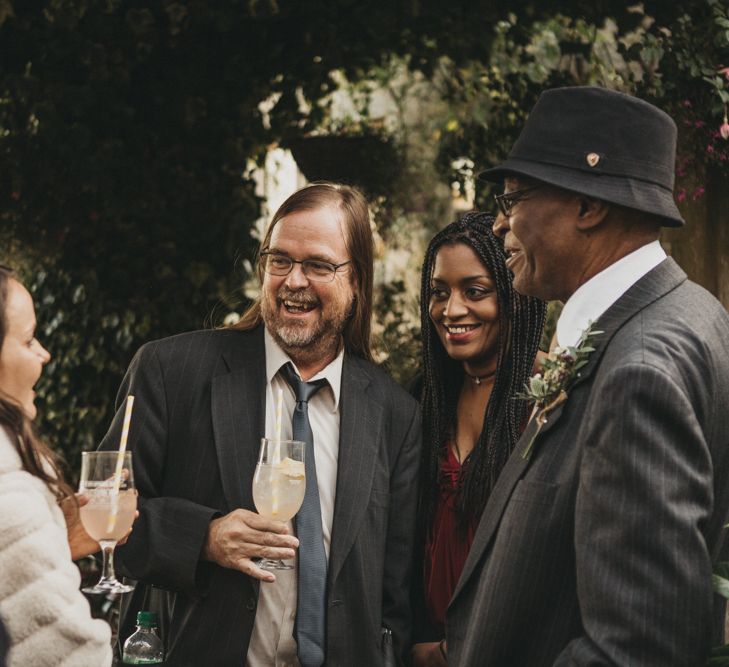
x: 600, y: 143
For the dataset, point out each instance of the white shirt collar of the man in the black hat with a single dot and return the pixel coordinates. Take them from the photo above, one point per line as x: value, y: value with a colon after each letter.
x: 593, y: 298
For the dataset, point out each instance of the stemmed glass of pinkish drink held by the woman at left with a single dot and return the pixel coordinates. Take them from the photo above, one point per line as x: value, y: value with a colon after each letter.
x: 108, y: 481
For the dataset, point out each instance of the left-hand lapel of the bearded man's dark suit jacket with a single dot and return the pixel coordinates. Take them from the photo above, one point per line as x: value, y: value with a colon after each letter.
x: 238, y: 411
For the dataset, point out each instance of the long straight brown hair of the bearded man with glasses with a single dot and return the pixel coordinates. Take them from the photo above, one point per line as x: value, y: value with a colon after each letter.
x: 355, y: 217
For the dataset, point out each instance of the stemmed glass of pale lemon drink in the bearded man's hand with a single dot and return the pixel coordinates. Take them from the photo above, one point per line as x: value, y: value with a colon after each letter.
x: 278, y: 485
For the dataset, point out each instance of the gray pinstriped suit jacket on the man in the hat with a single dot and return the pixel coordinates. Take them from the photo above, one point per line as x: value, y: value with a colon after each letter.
x: 598, y: 550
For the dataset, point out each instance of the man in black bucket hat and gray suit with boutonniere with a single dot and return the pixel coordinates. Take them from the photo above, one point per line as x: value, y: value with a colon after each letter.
x: 597, y: 543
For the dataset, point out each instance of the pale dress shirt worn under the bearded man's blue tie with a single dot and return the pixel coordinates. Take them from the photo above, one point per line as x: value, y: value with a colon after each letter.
x: 272, y: 641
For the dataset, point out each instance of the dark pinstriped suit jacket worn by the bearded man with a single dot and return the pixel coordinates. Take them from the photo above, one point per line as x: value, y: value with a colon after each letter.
x: 195, y: 433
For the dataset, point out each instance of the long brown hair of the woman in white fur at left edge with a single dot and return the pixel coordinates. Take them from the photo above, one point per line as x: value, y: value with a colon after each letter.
x: 36, y: 457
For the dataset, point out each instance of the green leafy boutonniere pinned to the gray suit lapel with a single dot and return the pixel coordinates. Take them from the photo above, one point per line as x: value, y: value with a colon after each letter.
x: 548, y: 389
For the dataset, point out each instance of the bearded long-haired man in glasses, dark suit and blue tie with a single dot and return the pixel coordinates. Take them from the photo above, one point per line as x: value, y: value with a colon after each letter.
x: 203, y: 402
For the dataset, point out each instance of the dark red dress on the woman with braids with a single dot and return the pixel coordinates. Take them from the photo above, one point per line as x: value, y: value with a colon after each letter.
x: 447, y: 546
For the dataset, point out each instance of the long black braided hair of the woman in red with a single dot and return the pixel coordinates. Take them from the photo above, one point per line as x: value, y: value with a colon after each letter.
x: 521, y: 320
